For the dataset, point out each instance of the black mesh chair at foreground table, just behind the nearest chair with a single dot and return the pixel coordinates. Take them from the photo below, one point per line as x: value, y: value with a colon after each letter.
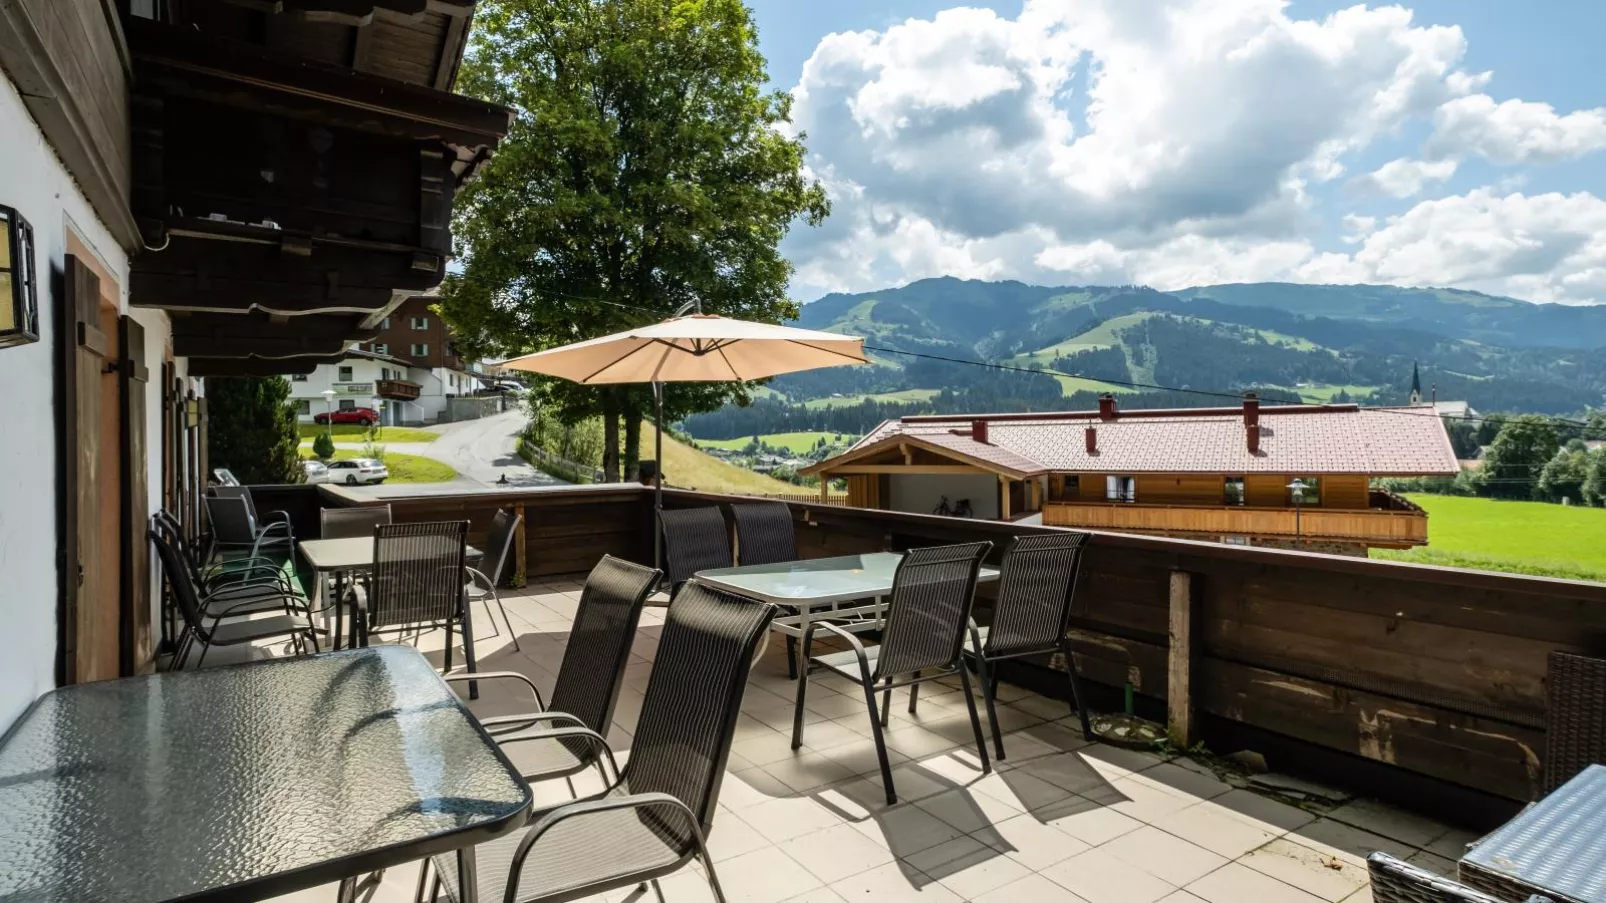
x: 589, y: 679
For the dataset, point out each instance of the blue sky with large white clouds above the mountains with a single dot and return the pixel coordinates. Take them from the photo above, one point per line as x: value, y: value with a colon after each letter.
x: 1192, y: 142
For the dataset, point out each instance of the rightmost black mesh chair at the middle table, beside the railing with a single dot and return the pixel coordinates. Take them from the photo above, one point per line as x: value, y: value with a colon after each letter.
x: 1030, y: 618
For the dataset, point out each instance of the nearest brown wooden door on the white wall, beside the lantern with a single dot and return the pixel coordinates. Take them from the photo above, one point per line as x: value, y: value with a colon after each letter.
x: 91, y: 570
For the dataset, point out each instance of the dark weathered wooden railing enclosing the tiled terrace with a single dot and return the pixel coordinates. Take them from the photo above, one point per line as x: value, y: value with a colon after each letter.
x: 1421, y: 685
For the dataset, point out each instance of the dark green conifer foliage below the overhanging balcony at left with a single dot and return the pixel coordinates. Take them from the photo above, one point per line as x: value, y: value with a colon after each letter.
x: 253, y: 430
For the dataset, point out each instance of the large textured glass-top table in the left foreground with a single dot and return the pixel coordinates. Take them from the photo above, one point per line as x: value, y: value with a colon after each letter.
x: 248, y: 782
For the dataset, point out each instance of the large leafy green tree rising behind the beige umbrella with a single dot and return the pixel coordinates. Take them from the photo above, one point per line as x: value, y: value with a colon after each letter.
x: 646, y: 168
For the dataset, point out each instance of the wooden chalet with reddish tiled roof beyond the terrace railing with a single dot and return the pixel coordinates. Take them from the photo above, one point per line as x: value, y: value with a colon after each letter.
x: 1290, y: 476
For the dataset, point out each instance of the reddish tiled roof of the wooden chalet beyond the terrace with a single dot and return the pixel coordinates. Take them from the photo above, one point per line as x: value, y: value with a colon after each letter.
x: 1339, y: 439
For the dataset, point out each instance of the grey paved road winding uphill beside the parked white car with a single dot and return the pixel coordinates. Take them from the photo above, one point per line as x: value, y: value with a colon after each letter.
x: 481, y: 451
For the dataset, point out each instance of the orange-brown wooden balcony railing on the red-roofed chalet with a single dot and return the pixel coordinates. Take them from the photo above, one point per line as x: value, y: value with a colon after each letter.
x: 1377, y: 526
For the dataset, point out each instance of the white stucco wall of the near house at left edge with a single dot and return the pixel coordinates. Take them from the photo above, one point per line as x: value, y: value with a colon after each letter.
x: 39, y: 187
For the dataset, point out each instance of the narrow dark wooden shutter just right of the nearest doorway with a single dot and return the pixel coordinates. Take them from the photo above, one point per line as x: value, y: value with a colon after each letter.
x: 136, y: 645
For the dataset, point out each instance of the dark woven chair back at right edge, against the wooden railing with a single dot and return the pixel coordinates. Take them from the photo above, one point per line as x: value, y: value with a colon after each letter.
x: 1575, y: 719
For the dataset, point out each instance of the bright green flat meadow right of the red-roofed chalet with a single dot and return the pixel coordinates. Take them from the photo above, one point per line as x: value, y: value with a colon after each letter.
x: 1522, y: 537
